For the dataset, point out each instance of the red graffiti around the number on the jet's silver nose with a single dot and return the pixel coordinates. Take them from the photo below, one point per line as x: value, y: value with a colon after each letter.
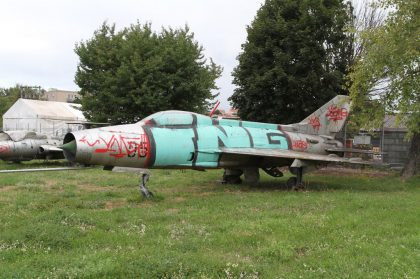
x: 120, y: 146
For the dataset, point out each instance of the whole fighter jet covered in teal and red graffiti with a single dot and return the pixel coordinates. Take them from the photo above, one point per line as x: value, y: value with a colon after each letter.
x: 187, y: 140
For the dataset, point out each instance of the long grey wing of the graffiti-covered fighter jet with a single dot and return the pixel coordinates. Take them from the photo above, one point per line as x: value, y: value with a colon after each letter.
x: 291, y: 154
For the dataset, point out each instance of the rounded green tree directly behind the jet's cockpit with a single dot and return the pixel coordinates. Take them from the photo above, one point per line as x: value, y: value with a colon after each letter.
x: 127, y: 75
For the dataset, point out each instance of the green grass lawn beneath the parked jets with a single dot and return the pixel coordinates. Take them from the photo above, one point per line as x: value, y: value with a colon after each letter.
x: 94, y: 224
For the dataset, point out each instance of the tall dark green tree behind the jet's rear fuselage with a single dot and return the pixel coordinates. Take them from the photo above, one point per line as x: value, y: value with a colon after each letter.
x: 293, y: 61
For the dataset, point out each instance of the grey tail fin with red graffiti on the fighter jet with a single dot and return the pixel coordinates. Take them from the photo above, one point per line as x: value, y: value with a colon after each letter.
x: 328, y: 119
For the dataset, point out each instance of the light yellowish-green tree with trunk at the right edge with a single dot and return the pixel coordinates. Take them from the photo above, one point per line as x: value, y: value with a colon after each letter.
x: 387, y: 75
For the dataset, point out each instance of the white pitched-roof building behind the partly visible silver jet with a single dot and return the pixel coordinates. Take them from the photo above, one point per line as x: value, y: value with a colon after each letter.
x: 51, y: 118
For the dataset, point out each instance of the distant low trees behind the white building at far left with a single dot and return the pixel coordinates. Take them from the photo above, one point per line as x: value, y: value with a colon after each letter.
x: 8, y: 96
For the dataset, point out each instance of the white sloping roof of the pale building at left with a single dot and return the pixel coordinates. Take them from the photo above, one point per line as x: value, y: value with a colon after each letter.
x: 48, y: 109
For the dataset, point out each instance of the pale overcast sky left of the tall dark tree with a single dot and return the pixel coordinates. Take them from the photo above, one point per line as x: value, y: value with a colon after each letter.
x: 38, y: 37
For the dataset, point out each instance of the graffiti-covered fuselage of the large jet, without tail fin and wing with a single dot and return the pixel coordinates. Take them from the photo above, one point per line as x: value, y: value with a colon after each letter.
x: 176, y: 139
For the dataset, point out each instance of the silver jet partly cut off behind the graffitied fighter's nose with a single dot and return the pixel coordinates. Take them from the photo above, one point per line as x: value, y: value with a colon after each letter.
x: 17, y: 146
